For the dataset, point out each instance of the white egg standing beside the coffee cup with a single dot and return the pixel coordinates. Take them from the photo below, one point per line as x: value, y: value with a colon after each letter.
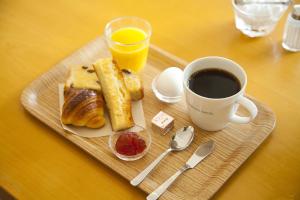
x: 169, y: 82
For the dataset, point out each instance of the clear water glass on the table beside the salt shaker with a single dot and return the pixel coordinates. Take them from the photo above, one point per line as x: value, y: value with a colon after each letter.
x: 256, y: 18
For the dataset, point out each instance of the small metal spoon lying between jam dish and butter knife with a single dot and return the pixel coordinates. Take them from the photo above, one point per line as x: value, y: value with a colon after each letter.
x: 180, y: 141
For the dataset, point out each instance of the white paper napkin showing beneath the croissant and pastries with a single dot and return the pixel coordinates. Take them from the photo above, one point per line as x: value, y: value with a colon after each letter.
x: 137, y: 114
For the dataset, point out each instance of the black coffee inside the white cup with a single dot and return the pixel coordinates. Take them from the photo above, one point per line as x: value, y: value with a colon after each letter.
x: 214, y: 83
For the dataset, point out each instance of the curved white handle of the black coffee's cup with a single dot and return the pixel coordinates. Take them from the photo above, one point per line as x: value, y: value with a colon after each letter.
x: 250, y: 106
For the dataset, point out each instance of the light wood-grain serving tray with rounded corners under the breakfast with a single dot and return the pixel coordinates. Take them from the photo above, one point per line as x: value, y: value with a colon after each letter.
x: 234, y: 144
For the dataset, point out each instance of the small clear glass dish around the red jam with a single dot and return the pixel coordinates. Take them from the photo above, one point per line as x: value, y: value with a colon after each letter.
x: 143, y: 135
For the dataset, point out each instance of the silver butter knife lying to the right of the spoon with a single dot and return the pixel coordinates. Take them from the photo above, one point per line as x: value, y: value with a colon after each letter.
x: 202, y: 152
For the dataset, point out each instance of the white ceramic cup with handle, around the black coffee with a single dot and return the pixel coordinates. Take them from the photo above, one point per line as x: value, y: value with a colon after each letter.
x: 214, y: 114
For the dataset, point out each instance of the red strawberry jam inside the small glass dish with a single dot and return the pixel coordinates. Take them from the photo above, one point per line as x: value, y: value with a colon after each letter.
x: 130, y: 144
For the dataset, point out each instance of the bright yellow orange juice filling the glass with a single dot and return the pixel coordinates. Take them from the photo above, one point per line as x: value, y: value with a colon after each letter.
x: 129, y: 48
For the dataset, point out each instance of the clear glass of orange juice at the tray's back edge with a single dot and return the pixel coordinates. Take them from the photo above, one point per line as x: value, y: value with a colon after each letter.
x: 128, y: 39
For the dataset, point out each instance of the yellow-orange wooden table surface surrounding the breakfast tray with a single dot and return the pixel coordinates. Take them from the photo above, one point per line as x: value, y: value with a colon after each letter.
x: 37, y: 163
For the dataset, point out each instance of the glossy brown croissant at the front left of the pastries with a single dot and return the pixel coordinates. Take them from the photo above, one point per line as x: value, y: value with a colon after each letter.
x: 83, y: 107
